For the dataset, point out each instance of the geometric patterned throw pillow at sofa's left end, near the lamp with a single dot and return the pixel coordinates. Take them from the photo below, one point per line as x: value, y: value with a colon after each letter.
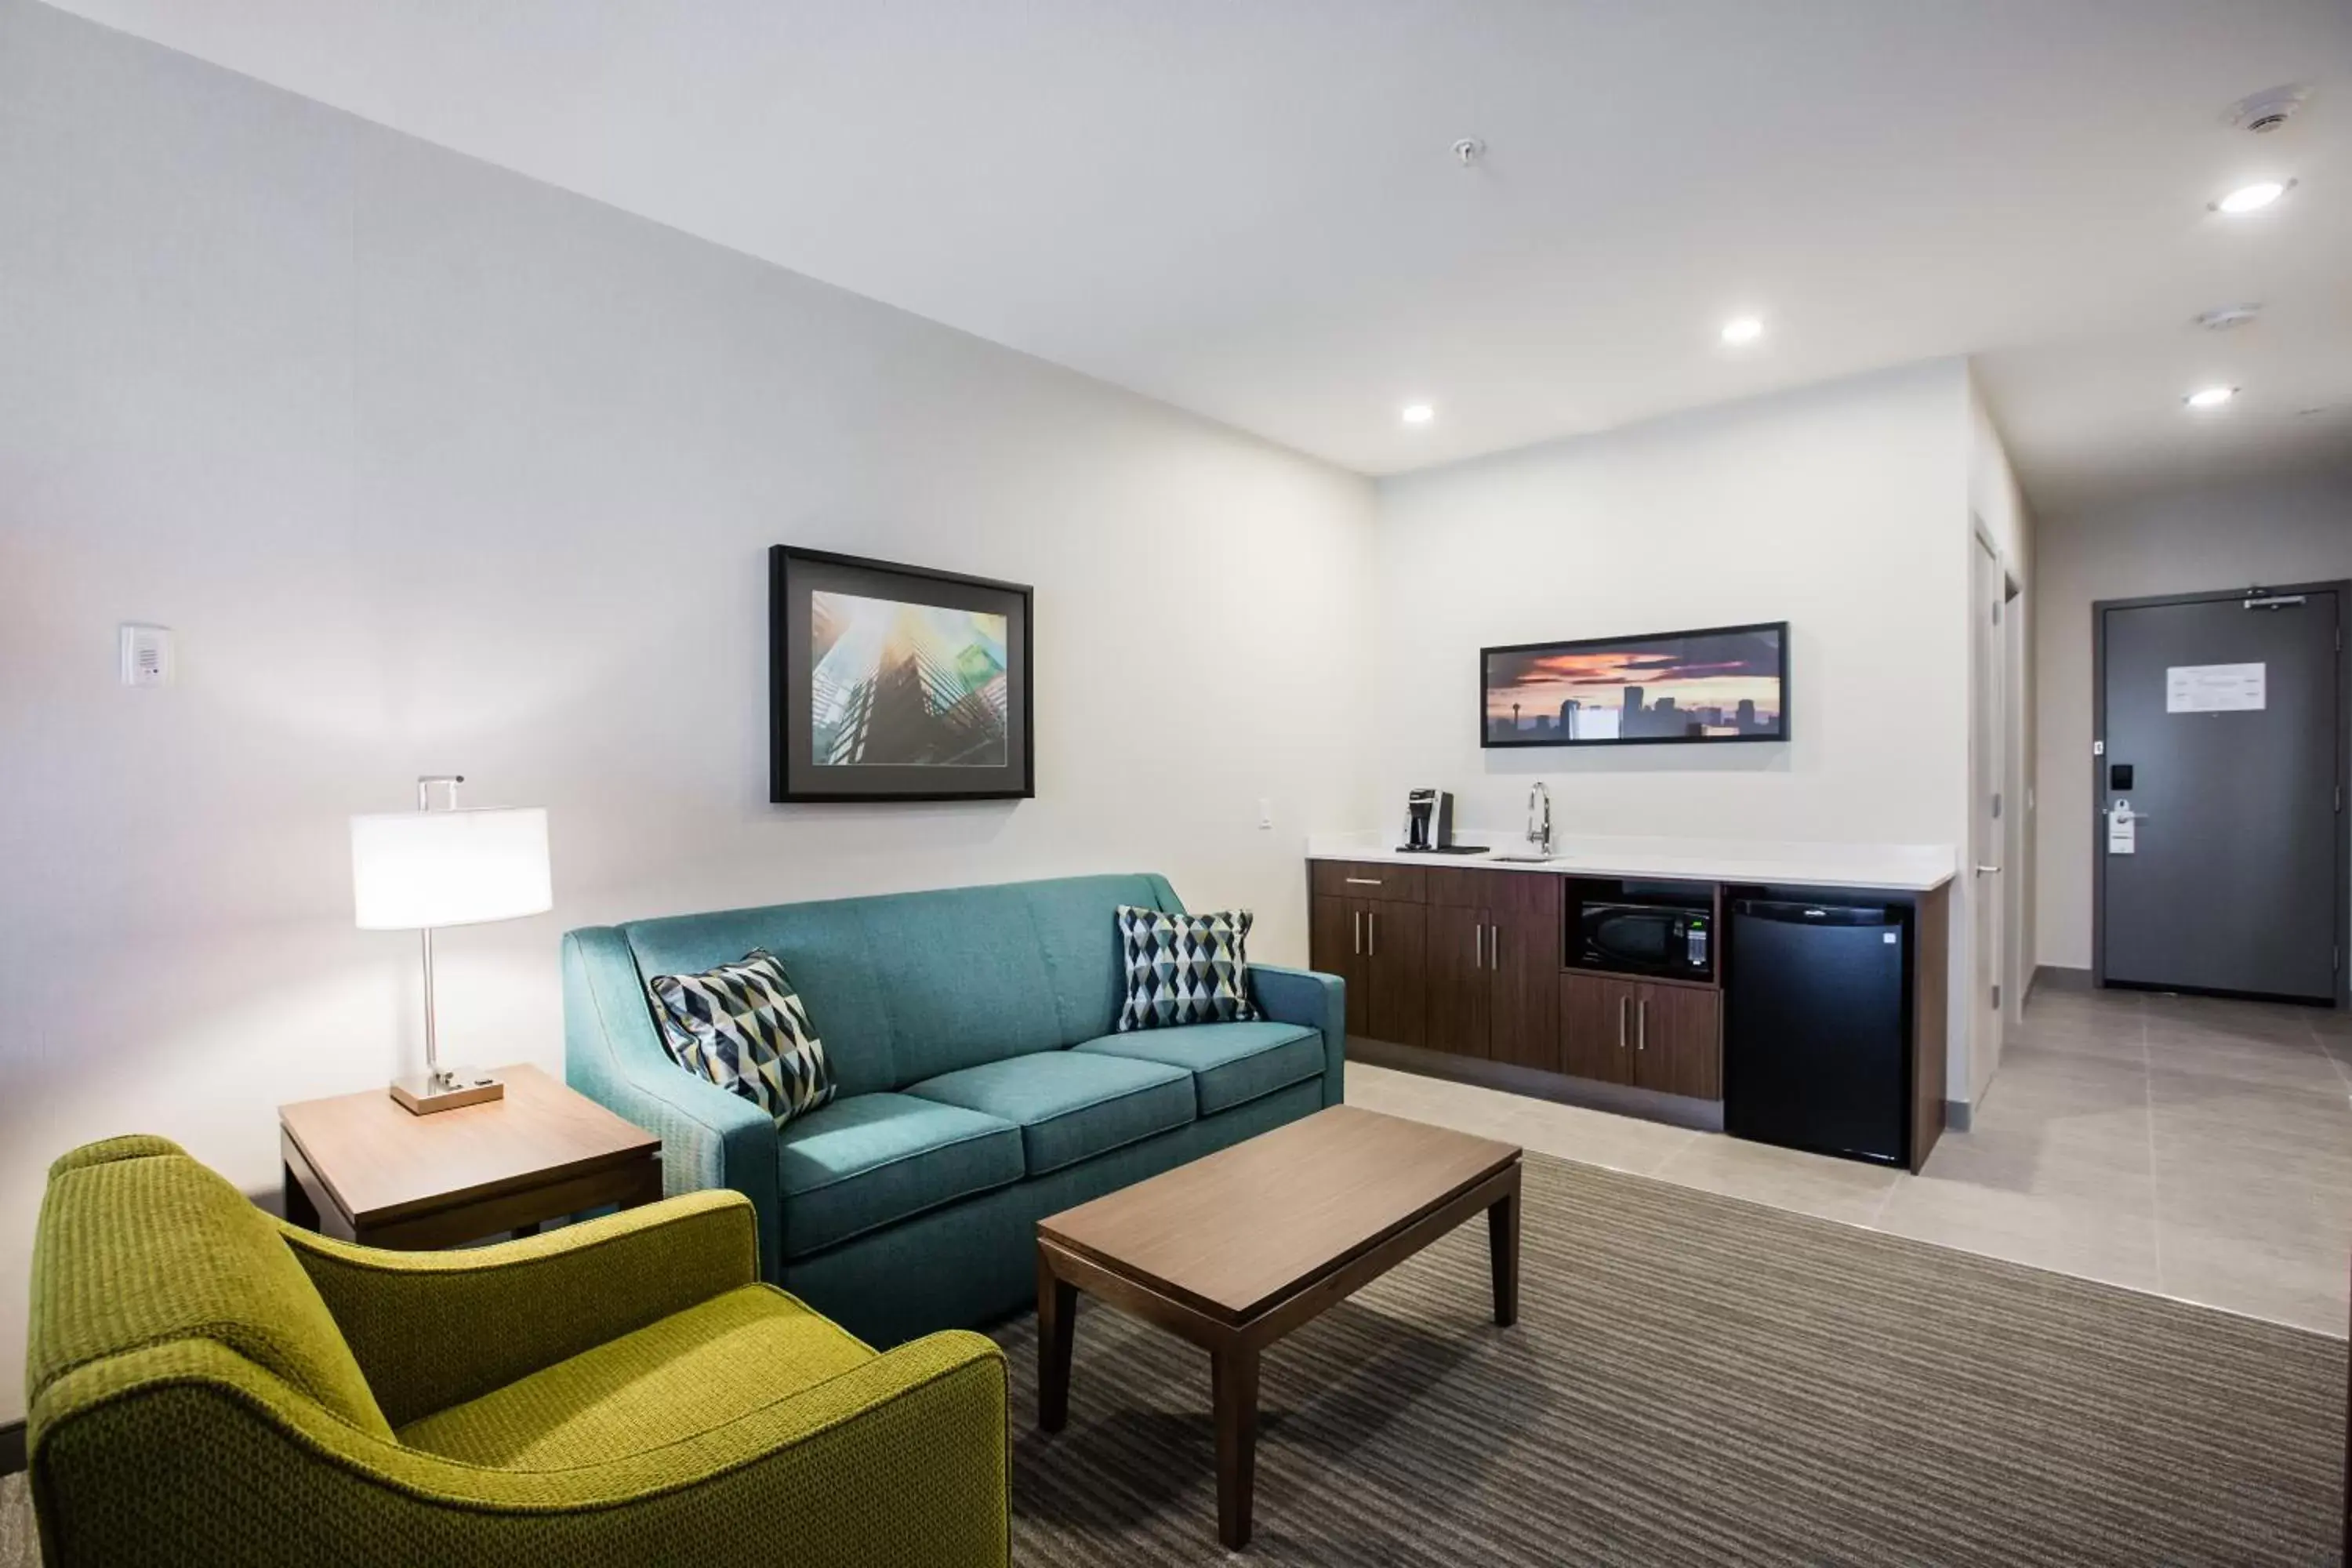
x: 744, y: 1028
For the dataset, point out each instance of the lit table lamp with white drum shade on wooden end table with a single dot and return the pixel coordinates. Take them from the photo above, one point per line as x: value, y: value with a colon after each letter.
x: 417, y: 871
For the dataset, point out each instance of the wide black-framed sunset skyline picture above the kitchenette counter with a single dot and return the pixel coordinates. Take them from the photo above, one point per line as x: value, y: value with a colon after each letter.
x: 1720, y: 683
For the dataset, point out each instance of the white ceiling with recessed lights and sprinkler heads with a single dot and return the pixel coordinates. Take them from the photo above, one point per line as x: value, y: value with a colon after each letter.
x: 1250, y: 208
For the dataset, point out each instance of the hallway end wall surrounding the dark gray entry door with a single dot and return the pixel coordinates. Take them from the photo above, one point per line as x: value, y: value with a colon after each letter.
x: 2294, y: 530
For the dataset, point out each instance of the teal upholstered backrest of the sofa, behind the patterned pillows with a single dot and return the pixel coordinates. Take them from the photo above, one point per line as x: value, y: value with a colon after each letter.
x: 909, y: 986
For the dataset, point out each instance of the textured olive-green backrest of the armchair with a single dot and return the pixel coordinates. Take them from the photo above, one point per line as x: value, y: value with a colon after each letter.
x: 142, y: 1245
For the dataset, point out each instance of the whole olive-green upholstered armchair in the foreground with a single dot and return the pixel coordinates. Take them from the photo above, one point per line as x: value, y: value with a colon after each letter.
x: 213, y: 1386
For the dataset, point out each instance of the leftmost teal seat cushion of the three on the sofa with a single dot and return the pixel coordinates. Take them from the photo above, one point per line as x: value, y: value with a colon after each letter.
x: 876, y: 1160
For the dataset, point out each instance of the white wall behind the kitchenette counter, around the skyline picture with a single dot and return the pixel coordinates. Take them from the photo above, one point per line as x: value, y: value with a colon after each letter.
x: 1840, y: 509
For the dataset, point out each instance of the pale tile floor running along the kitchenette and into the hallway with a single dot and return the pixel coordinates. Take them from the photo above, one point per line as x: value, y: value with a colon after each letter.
x: 2167, y: 1144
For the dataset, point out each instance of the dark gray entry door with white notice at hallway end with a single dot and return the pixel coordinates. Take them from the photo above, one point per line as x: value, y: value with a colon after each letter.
x: 2221, y: 721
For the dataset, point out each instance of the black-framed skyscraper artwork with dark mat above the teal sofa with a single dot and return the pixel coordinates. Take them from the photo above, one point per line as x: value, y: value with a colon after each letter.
x: 895, y: 683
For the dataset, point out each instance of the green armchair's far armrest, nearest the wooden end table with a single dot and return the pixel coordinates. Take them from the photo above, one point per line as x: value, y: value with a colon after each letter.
x: 436, y: 1329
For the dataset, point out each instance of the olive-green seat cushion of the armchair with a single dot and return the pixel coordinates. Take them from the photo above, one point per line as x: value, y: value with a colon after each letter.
x: 664, y: 1383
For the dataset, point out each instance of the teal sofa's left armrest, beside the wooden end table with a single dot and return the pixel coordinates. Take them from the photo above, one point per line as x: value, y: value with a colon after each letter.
x: 613, y: 1054
